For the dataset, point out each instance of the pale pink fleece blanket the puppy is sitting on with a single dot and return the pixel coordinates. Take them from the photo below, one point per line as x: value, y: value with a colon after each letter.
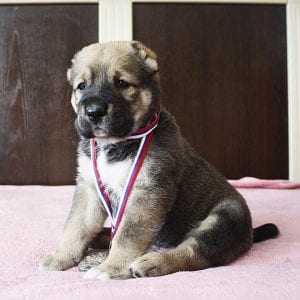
x: 32, y: 219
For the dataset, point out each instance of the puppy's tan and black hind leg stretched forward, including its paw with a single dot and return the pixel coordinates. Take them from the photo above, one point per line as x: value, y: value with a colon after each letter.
x: 217, y: 240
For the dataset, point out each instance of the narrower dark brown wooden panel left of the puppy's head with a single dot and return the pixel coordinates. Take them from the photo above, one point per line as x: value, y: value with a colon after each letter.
x: 37, y: 139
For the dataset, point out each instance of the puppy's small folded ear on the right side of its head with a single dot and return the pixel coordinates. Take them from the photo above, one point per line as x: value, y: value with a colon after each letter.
x: 148, y: 57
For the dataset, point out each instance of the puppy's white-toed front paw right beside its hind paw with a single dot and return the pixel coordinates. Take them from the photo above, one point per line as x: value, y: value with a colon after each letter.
x: 106, y: 272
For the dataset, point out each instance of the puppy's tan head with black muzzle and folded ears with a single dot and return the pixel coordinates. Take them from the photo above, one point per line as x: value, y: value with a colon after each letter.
x: 115, y: 89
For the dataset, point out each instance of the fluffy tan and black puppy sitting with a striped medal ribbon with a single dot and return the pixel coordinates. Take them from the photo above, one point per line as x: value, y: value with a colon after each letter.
x: 179, y: 213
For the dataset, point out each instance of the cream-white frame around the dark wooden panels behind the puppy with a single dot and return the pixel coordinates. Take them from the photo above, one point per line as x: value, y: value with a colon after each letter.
x: 116, y: 23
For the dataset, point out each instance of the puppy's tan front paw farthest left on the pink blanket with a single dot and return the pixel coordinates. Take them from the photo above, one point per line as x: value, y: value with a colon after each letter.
x: 56, y: 263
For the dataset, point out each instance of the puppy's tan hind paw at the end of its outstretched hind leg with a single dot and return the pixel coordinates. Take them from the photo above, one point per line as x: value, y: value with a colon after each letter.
x: 148, y: 265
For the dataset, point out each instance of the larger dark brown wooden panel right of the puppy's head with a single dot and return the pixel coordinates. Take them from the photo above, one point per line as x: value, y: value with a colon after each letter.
x: 223, y: 70
